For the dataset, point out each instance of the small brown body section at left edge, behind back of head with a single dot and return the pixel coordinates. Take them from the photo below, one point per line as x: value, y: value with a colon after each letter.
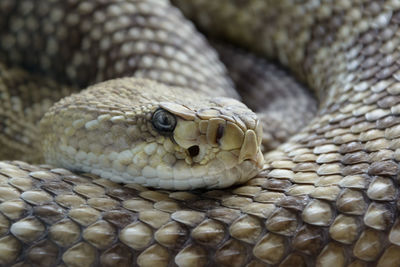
x: 24, y: 99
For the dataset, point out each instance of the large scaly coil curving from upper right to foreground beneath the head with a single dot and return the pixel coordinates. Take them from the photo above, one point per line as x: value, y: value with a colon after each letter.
x: 329, y: 196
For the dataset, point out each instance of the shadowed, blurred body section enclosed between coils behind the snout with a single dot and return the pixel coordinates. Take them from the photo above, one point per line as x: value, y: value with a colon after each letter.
x: 281, y: 103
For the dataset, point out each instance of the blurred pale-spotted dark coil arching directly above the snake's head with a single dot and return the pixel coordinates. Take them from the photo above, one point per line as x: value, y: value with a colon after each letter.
x: 82, y: 43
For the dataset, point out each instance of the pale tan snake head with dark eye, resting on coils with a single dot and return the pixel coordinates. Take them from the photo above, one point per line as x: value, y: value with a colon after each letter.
x: 133, y: 130
